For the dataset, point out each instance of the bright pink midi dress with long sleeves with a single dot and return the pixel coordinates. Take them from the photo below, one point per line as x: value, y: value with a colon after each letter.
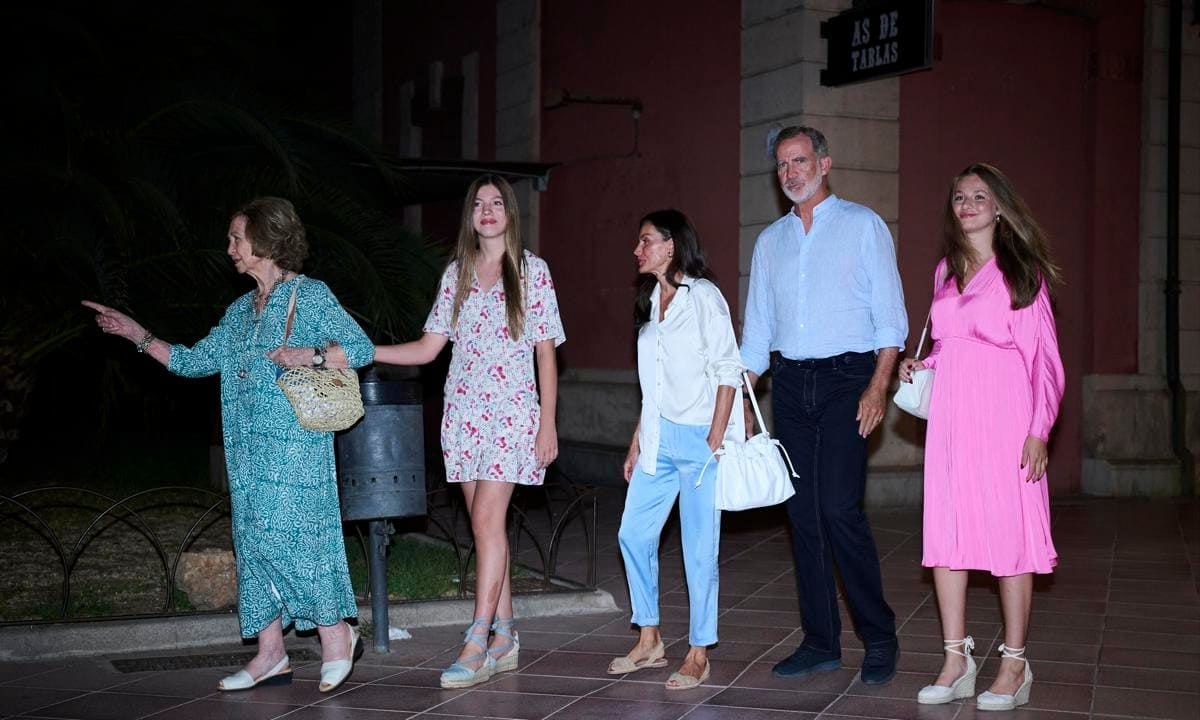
x: 999, y: 380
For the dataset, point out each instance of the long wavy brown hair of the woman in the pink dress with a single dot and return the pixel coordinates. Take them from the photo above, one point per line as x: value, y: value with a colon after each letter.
x: 1023, y: 253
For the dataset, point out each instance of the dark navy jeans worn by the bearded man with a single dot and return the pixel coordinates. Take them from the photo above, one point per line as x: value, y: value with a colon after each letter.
x: 815, y: 403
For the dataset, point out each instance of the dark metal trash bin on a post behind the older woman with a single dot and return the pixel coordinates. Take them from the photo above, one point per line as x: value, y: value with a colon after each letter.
x: 381, y: 475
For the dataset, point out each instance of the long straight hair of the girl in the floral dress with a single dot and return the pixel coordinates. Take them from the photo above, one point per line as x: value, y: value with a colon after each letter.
x: 512, y: 265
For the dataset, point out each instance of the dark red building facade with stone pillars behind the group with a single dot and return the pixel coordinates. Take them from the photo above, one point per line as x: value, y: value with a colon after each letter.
x: 649, y: 105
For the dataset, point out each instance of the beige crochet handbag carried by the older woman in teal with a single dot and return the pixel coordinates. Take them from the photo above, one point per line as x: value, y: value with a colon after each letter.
x: 325, y: 400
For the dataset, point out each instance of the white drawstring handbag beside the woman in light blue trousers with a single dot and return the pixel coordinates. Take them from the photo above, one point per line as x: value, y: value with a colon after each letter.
x: 752, y: 473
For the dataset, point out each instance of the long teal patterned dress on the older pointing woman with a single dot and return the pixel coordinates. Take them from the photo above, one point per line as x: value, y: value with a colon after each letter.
x: 287, y: 527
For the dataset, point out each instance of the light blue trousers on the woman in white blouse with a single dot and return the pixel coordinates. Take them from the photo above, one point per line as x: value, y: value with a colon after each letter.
x: 683, y: 451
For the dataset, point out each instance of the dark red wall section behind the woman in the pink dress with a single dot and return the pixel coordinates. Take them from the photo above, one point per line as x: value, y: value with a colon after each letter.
x: 1016, y: 87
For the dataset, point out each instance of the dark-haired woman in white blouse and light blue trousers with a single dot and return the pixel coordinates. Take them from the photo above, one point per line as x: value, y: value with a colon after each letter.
x: 691, y: 373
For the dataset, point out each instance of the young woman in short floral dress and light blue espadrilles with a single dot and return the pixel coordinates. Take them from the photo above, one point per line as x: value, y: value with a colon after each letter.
x: 497, y: 305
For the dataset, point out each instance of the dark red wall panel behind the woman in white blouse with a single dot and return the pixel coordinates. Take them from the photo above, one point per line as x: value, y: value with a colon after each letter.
x: 682, y: 59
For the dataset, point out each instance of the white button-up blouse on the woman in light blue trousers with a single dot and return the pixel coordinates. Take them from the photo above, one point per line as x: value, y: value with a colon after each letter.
x: 681, y: 363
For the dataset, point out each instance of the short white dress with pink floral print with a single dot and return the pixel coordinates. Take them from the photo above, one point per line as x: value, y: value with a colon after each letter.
x: 493, y: 411
